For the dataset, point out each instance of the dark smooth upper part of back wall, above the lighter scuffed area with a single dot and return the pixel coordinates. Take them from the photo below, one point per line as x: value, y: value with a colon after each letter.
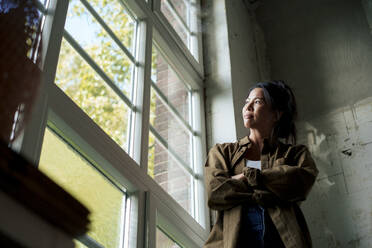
x: 323, y: 48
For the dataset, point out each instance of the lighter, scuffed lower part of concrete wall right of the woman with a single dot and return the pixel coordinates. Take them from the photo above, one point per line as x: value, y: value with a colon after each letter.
x: 339, y: 209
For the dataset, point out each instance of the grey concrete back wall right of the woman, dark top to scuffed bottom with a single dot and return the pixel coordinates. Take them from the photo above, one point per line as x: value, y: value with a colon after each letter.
x: 324, y: 50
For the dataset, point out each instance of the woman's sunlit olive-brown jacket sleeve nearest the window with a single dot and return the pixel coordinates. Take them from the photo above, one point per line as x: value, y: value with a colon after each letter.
x: 223, y: 191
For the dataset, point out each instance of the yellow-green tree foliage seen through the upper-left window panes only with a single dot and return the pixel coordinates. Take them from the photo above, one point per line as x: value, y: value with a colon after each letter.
x: 83, y: 85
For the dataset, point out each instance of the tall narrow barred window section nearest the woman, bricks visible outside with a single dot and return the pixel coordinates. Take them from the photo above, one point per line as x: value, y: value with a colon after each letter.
x: 170, y: 140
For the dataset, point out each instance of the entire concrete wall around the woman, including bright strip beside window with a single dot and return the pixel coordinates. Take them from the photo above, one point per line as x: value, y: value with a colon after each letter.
x: 323, y: 48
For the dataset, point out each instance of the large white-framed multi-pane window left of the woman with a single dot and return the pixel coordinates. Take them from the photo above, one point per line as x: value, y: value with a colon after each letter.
x: 120, y: 117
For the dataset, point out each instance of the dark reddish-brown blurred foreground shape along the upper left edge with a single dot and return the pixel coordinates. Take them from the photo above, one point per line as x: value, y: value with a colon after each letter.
x: 20, y: 75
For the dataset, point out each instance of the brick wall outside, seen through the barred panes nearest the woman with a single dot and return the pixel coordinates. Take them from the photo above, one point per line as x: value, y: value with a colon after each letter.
x: 167, y: 172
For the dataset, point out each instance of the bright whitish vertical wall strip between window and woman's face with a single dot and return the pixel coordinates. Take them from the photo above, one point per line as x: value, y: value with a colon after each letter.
x: 220, y: 120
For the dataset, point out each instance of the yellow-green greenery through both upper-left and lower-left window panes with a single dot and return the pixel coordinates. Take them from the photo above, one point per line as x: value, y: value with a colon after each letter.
x: 91, y: 93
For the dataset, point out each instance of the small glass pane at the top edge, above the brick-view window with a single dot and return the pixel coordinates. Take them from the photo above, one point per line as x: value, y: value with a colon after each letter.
x: 173, y: 21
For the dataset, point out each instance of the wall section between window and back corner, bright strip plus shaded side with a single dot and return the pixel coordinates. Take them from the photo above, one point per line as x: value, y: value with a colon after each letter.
x: 233, y: 64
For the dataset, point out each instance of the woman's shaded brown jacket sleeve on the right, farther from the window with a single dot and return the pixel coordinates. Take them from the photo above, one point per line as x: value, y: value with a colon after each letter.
x: 292, y: 182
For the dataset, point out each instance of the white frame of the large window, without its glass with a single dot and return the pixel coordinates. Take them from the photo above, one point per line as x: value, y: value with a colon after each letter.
x: 129, y: 170
